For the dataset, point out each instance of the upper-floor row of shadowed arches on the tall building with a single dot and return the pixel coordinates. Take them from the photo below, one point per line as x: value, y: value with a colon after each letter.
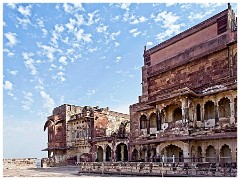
x: 174, y: 112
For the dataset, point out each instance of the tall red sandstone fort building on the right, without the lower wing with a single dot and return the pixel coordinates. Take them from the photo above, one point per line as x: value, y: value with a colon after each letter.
x: 188, y: 106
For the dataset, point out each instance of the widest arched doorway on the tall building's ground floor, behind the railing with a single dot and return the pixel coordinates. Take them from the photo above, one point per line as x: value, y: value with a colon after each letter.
x: 171, y: 150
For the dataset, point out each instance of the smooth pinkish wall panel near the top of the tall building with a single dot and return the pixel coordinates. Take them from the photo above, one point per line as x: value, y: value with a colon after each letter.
x: 197, y: 38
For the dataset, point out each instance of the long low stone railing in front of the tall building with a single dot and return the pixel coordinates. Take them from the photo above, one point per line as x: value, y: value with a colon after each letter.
x: 159, y: 169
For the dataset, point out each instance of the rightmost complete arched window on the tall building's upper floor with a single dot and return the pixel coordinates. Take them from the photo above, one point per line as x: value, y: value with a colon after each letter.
x: 224, y: 108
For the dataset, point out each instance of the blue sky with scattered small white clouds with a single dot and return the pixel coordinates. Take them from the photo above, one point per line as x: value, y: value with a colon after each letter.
x: 80, y: 54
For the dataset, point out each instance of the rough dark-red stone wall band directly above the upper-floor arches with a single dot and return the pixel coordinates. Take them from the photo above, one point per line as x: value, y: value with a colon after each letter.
x: 197, y: 75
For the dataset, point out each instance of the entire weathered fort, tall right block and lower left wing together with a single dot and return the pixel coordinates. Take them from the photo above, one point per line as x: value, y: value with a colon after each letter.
x: 187, y: 110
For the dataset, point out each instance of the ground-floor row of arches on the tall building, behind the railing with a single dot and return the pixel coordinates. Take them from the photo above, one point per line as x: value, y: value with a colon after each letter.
x: 181, y: 155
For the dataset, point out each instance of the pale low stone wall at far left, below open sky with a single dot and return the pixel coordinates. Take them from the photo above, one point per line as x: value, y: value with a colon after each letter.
x: 19, y: 163
